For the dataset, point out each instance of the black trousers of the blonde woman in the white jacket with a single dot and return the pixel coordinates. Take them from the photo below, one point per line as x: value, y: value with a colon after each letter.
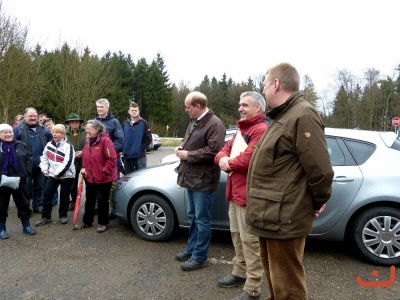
x: 49, y: 189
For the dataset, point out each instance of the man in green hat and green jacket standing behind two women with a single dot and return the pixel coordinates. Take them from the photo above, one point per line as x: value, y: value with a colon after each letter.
x: 76, y: 135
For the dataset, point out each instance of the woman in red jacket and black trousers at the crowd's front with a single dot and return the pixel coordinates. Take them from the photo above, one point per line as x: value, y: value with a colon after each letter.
x: 99, y: 162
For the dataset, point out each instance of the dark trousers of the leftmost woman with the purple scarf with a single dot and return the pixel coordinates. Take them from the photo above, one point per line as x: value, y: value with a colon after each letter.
x: 21, y: 199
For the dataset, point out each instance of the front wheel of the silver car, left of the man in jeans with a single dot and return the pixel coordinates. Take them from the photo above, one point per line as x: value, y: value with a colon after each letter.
x: 152, y: 218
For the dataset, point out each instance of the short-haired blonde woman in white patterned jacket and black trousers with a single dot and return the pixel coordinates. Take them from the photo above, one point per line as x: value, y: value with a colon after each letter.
x: 57, y: 164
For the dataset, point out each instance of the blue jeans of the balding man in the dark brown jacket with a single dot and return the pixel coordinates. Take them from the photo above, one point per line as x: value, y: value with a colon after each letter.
x: 199, y: 215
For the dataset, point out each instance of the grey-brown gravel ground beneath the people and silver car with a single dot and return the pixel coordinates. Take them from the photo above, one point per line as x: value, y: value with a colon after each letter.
x: 59, y: 263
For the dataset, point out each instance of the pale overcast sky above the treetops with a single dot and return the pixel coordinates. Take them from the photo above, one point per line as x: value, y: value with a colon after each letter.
x: 212, y: 37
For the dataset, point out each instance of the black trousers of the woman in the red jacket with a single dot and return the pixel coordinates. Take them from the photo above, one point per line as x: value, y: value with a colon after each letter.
x: 101, y: 192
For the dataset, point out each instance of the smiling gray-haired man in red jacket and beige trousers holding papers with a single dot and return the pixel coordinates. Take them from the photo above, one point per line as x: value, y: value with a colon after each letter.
x: 234, y: 158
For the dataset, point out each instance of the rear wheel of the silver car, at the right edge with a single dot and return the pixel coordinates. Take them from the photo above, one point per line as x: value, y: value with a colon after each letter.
x: 376, y: 235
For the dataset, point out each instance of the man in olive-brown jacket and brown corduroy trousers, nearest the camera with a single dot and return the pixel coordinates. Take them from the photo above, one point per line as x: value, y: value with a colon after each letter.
x: 289, y: 180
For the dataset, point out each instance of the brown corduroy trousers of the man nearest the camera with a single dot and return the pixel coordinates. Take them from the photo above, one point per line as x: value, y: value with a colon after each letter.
x: 283, y: 266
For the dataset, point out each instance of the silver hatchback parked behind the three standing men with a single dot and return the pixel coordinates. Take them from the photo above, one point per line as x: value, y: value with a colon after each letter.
x: 364, y: 208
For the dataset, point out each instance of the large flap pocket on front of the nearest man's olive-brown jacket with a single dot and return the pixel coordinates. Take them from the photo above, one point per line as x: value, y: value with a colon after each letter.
x: 264, y: 207
